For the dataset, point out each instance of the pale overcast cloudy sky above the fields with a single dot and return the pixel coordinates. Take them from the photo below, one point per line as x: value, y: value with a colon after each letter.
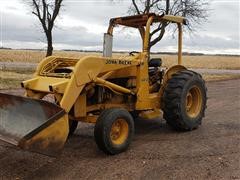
x: 82, y: 23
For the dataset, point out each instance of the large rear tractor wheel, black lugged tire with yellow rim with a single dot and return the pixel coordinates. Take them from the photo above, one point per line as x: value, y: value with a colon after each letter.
x: 184, y: 100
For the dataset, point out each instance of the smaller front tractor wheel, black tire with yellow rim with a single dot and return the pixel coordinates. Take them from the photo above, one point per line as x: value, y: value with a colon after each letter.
x: 114, y: 130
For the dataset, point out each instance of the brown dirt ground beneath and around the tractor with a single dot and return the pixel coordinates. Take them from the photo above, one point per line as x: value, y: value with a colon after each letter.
x: 157, y: 152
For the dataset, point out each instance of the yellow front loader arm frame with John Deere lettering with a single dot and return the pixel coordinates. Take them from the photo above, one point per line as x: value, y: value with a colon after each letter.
x: 86, y: 70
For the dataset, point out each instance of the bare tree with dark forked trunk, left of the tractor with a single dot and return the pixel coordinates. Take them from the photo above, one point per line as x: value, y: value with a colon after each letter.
x: 47, y: 12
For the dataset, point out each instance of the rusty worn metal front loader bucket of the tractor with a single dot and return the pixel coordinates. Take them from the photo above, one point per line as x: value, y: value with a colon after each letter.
x: 34, y: 125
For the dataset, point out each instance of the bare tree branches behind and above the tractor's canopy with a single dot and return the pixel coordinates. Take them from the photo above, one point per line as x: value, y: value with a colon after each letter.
x: 195, y: 12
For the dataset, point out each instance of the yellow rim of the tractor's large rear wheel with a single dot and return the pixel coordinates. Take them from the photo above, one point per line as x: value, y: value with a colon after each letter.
x: 194, y: 102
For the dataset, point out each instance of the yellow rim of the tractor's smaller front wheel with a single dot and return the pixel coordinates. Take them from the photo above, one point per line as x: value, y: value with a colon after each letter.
x: 119, y: 131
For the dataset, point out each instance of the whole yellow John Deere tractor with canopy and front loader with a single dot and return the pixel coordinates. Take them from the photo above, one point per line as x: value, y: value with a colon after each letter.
x: 108, y: 91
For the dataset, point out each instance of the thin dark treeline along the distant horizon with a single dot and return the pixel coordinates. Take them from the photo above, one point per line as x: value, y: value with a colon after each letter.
x: 98, y: 51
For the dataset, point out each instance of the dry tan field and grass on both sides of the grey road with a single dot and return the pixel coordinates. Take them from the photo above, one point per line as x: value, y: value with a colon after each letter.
x: 12, y: 79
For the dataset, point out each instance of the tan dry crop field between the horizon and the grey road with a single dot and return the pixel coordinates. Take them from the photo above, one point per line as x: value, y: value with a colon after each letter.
x: 209, y: 62
